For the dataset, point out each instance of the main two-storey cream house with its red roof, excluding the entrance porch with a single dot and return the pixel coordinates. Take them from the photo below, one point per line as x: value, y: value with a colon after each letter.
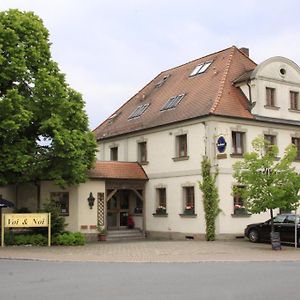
x: 178, y: 118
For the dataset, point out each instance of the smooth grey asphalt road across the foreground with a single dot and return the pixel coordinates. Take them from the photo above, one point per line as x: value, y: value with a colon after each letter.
x: 95, y: 280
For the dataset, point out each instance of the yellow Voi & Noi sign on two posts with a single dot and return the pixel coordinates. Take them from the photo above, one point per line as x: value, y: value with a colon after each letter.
x: 26, y: 220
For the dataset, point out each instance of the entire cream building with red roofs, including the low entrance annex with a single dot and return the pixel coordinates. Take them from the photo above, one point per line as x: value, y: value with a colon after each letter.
x: 223, y: 98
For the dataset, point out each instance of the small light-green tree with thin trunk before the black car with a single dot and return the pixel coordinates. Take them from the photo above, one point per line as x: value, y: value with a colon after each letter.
x: 268, y: 183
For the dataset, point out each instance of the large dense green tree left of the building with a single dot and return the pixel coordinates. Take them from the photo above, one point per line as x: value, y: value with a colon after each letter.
x: 44, y: 131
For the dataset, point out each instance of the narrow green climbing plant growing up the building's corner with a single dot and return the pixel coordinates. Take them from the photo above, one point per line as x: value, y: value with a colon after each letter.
x: 210, y: 198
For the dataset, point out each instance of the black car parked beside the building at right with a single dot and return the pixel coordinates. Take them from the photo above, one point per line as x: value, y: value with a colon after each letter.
x: 283, y: 223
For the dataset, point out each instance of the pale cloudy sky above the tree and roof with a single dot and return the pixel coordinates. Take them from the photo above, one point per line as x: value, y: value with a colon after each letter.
x: 110, y: 49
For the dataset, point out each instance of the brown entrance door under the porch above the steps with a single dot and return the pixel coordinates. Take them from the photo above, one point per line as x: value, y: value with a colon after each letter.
x: 117, y: 211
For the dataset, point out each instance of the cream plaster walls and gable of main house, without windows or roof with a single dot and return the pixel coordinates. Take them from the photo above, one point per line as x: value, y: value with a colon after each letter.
x: 166, y: 172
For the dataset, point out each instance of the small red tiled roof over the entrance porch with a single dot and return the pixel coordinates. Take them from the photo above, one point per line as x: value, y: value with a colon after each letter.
x: 117, y: 170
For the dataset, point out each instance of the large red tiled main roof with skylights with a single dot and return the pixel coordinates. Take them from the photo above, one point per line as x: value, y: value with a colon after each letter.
x: 209, y: 93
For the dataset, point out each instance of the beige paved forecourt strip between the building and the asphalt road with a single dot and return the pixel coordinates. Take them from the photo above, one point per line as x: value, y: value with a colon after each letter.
x: 155, y: 251
